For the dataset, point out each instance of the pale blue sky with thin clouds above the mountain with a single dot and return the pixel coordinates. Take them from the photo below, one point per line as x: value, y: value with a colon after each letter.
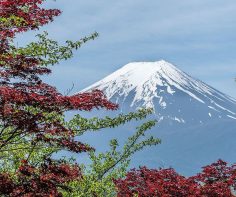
x: 199, y: 36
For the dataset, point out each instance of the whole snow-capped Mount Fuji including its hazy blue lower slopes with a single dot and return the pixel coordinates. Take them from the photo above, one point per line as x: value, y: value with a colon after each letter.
x: 196, y: 122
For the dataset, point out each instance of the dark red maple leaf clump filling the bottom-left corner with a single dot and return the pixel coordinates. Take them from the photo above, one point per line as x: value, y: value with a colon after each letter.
x: 43, y: 181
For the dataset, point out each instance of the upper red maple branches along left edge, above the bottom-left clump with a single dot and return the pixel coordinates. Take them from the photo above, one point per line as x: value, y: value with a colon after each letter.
x: 21, y: 86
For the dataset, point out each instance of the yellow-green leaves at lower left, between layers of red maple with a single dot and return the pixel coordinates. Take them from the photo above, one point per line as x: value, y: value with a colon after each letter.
x: 22, y: 148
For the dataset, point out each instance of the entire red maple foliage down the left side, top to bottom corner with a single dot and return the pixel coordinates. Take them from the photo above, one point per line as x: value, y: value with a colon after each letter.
x: 29, y: 107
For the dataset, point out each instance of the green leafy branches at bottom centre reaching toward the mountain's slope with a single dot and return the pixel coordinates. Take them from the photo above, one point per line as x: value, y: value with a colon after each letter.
x: 113, y: 164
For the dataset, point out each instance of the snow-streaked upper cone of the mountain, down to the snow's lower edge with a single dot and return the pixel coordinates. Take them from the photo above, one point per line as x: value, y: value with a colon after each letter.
x: 171, y: 92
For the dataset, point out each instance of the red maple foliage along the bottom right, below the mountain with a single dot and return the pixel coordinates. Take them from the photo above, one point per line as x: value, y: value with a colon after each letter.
x: 216, y: 180
